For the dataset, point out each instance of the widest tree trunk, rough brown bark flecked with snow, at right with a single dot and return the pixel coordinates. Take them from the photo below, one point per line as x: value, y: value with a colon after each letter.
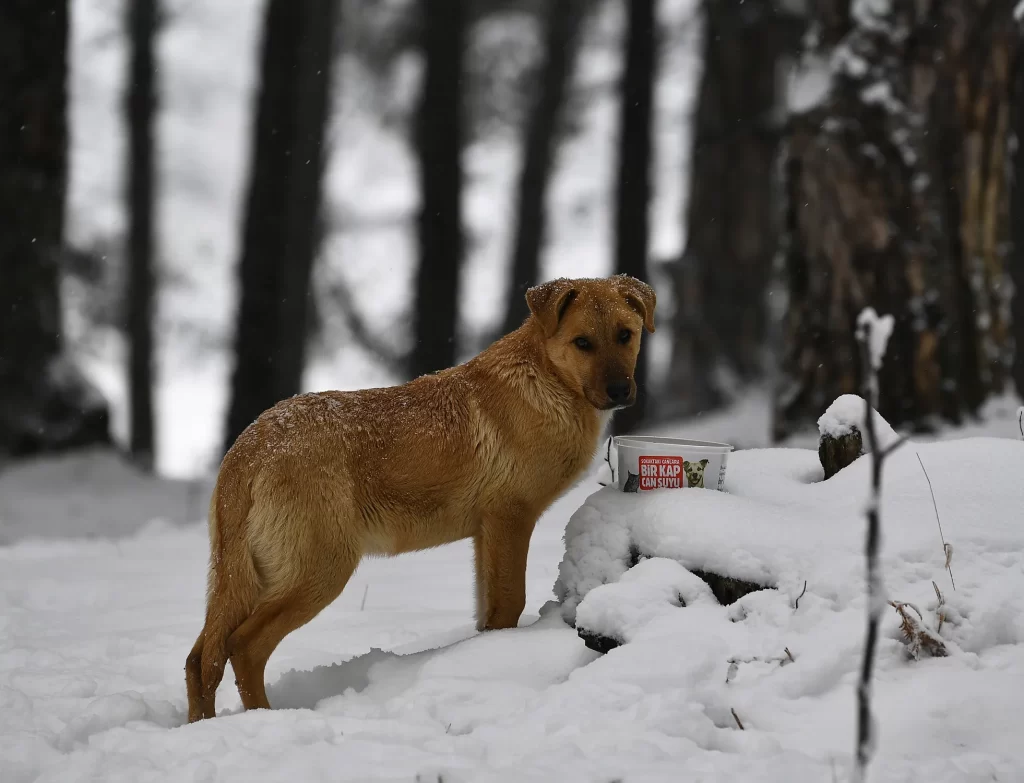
x: 897, y: 199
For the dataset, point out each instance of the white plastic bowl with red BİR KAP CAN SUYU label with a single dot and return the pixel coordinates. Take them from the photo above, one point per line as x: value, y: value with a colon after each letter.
x: 646, y: 462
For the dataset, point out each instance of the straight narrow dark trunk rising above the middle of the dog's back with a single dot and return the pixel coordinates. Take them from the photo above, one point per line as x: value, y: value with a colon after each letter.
x: 439, y: 143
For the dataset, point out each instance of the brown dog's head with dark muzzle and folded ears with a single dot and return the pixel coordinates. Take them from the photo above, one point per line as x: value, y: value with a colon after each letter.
x: 592, y: 333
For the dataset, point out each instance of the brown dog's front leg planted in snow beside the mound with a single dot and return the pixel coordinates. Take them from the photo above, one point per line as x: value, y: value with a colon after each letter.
x: 501, y: 548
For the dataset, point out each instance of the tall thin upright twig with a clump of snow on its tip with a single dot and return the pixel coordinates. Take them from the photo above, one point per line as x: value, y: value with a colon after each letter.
x: 873, y: 335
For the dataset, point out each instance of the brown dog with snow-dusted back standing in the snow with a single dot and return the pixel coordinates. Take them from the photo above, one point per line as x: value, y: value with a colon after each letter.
x: 477, y: 452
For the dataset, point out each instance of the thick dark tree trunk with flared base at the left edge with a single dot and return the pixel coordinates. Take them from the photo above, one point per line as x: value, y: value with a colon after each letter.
x: 46, y: 404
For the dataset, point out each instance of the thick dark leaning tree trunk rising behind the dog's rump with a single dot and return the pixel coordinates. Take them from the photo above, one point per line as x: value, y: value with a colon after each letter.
x: 283, y: 207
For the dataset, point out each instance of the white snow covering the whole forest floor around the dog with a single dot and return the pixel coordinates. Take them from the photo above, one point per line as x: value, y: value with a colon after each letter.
x: 392, y: 682
